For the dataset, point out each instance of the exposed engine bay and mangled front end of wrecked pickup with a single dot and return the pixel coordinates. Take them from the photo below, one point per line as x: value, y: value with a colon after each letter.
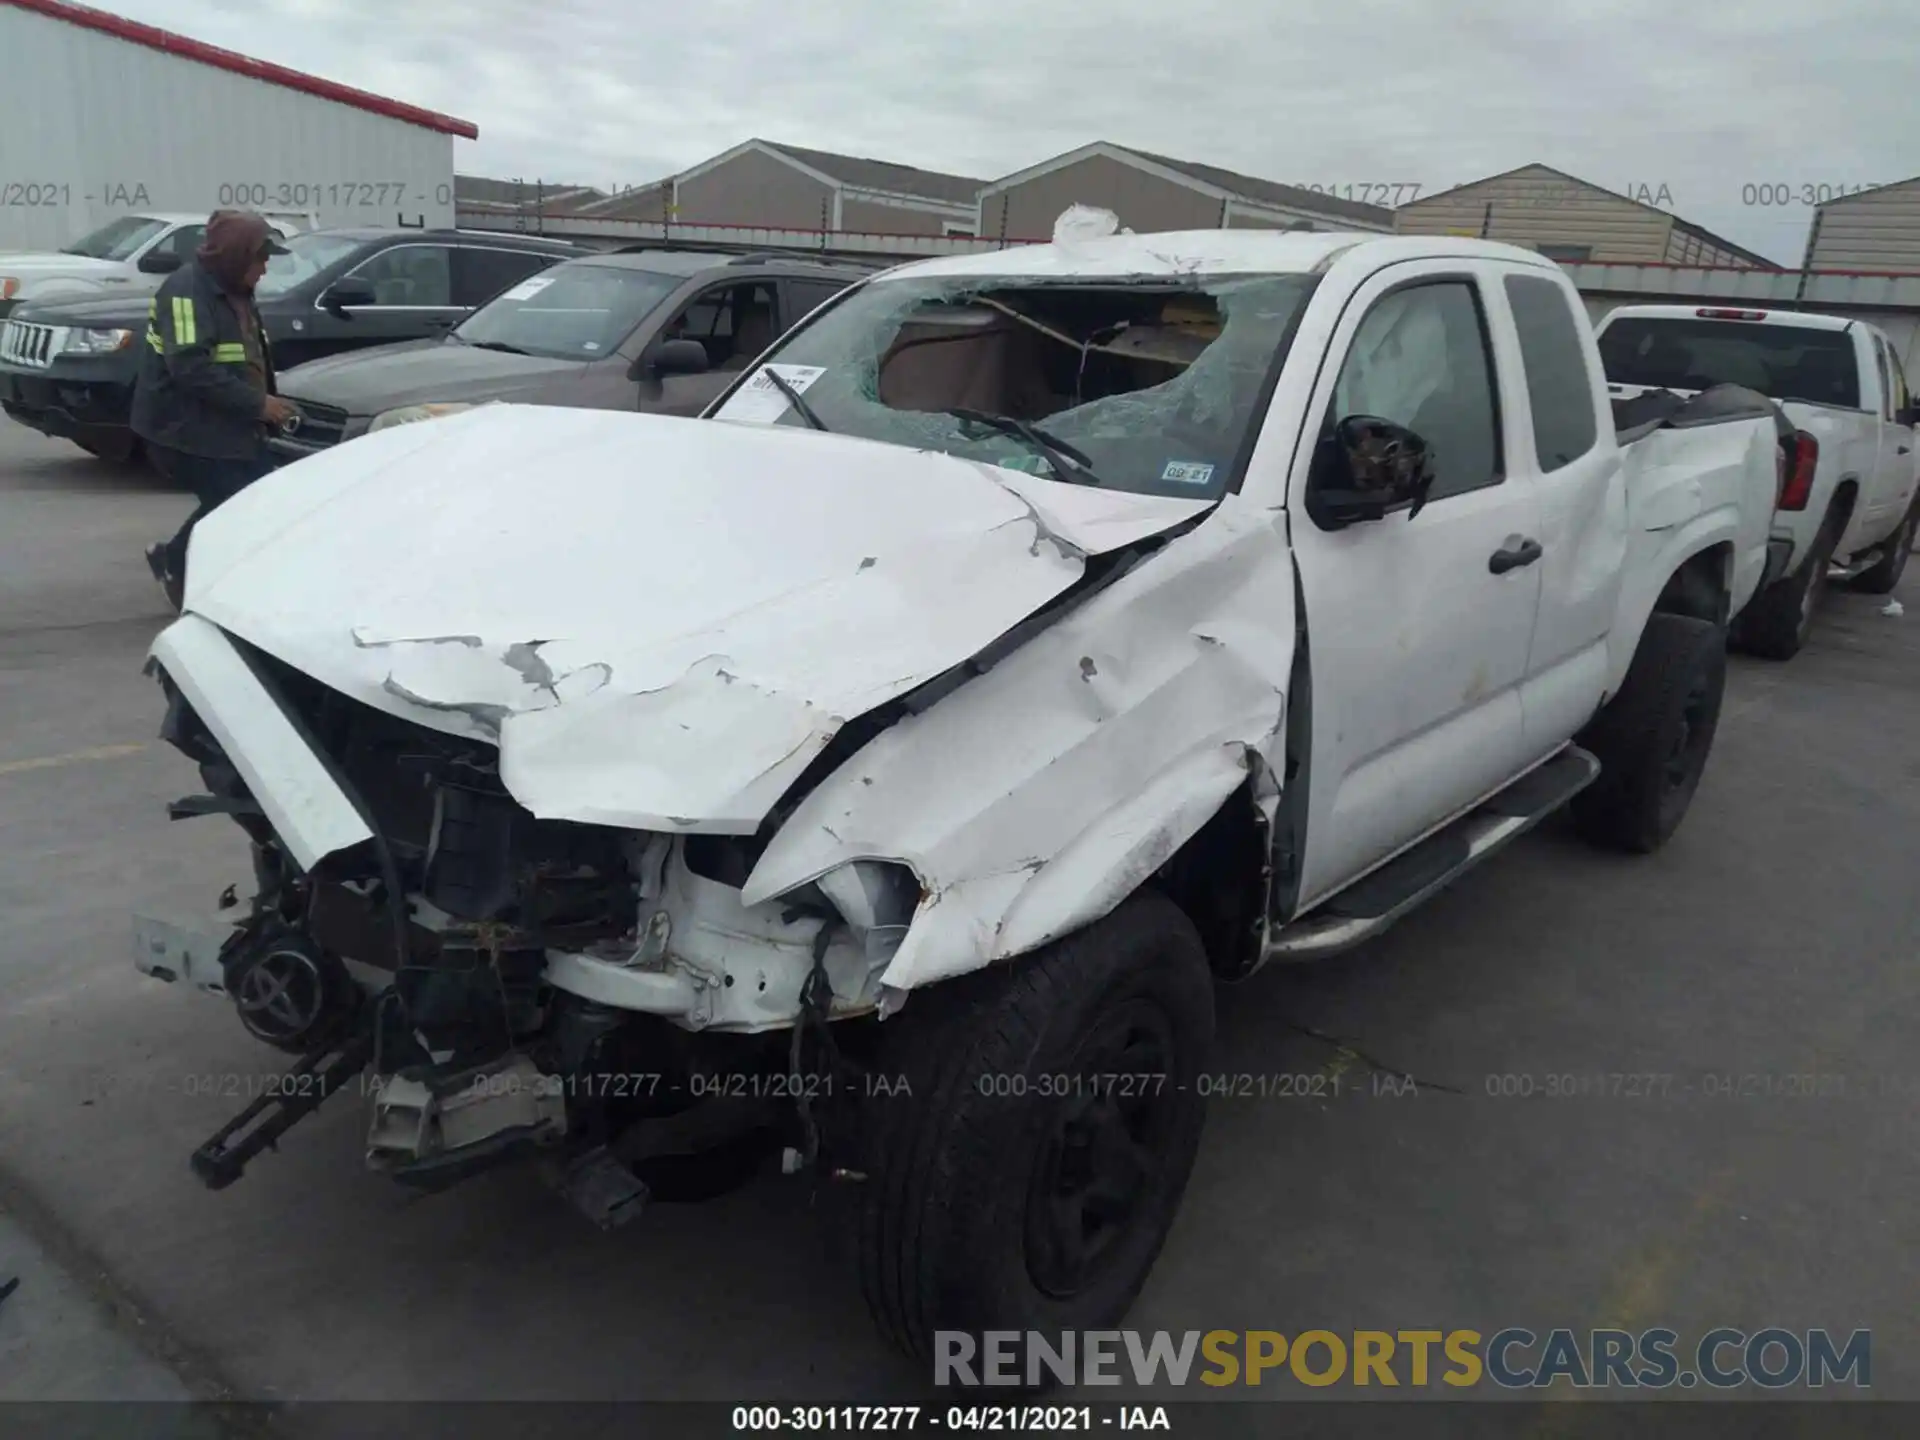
x: 510, y: 980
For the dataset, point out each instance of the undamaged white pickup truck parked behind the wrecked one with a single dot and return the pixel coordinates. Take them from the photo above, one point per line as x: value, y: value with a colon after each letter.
x: 1852, y: 498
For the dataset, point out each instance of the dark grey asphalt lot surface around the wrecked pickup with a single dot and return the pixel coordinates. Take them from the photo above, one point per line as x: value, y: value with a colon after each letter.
x: 1775, y: 938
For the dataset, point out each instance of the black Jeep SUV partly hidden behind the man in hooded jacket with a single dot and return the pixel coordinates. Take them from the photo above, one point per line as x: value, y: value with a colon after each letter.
x: 68, y: 366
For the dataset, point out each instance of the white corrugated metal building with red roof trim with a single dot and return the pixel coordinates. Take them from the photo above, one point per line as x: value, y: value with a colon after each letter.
x: 105, y: 118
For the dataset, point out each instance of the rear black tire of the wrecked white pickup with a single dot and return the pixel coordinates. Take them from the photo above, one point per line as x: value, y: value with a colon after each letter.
x: 1652, y: 740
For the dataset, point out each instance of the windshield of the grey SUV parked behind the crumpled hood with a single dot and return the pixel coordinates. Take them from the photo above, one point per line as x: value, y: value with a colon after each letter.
x: 571, y: 312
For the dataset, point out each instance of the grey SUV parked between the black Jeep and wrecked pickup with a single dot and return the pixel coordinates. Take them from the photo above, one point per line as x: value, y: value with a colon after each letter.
x: 596, y: 331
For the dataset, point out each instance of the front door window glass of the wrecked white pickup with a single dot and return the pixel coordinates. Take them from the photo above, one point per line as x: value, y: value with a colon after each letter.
x: 1422, y: 360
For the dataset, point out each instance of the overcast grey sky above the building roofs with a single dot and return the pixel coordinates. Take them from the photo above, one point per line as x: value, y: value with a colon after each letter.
x: 1689, y: 105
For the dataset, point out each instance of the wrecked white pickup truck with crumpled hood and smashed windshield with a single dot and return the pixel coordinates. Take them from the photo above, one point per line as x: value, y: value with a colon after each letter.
x: 882, y: 771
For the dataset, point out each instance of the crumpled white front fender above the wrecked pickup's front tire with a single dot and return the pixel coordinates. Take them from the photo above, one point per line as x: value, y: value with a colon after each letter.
x: 1036, y: 798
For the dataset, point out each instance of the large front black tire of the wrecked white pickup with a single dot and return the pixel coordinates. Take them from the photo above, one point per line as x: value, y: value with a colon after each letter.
x: 969, y: 1186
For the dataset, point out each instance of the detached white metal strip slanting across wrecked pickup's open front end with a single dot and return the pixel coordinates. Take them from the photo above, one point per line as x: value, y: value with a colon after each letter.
x: 299, y: 796
